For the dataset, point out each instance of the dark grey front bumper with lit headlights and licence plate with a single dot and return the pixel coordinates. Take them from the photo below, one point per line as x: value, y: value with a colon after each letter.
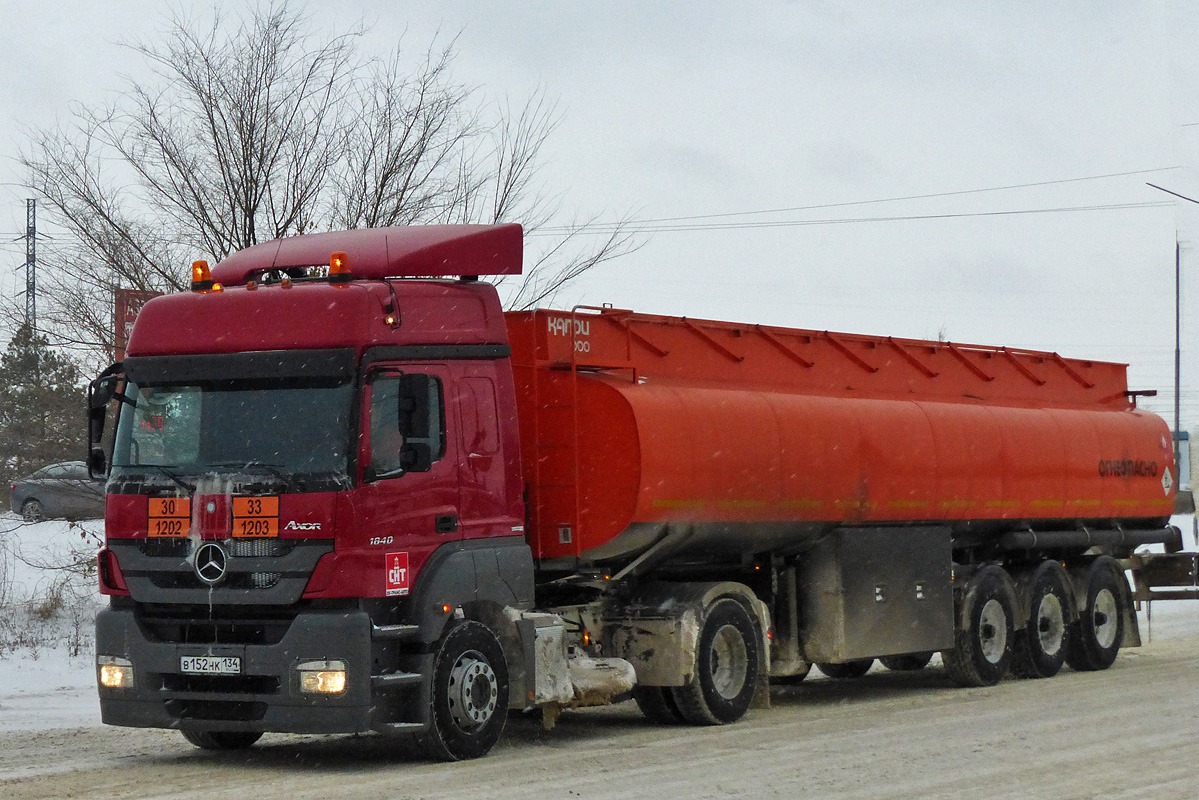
x: 264, y: 697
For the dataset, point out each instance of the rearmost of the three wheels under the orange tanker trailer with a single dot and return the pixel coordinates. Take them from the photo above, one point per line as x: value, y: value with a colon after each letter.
x: 1096, y: 637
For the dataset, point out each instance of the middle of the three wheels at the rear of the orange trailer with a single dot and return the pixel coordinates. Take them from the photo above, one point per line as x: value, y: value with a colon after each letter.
x: 1043, y: 647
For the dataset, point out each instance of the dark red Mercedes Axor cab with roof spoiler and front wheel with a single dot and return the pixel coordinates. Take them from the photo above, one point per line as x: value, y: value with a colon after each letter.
x: 315, y: 480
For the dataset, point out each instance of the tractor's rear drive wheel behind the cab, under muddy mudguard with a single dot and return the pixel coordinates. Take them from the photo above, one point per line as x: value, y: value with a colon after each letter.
x: 726, y: 667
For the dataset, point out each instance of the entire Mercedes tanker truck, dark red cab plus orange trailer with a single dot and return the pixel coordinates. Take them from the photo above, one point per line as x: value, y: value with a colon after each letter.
x: 347, y: 492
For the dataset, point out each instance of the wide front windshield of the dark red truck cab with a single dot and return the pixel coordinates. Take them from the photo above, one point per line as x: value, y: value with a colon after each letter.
x: 292, y: 429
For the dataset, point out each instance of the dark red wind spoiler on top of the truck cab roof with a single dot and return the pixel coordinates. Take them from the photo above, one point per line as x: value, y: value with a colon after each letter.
x: 413, y: 251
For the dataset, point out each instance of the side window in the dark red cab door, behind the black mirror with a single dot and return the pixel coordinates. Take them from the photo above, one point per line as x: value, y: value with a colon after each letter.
x: 407, y: 424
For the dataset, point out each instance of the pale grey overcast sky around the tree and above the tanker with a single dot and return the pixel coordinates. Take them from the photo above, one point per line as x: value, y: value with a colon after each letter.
x: 680, y: 110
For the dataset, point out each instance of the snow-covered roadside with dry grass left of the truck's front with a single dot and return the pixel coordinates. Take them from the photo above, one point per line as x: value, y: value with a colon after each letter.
x: 49, y: 600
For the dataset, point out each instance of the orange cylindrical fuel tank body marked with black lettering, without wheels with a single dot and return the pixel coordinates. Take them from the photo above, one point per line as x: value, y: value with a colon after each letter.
x: 751, y: 438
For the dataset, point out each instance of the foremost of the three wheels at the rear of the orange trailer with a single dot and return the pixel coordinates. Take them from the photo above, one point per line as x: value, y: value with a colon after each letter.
x: 985, y: 631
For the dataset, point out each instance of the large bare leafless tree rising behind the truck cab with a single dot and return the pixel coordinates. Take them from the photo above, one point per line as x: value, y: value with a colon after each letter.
x: 255, y: 129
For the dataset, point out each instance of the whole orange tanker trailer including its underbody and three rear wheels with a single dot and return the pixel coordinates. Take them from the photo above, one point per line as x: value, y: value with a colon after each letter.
x: 882, y: 497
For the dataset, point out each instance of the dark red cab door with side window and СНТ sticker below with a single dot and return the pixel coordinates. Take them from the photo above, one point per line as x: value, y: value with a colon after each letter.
x: 409, y: 470
